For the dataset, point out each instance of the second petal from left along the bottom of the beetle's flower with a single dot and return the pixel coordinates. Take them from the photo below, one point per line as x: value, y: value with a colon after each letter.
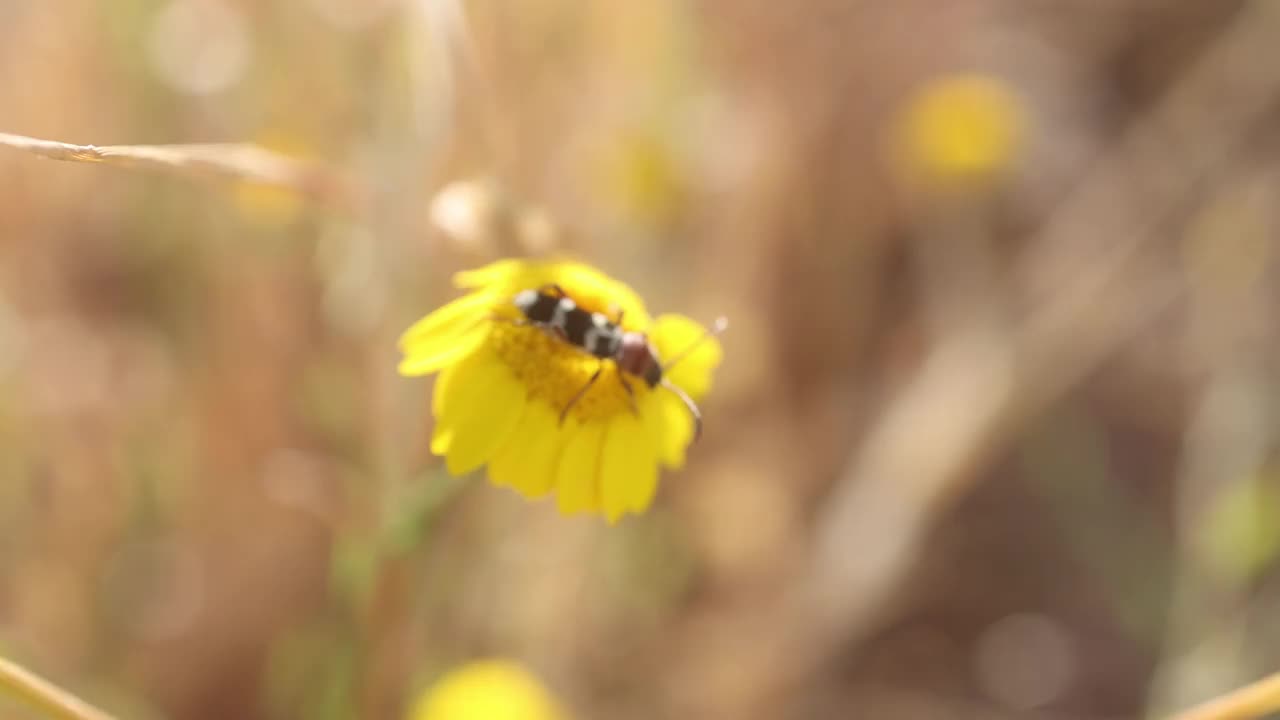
x: 528, y: 461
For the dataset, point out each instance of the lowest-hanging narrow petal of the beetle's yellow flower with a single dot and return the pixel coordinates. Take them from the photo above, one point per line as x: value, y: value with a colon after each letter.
x: 629, y: 471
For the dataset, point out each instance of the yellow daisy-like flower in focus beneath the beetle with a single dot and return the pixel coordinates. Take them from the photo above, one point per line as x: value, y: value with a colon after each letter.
x: 502, y: 390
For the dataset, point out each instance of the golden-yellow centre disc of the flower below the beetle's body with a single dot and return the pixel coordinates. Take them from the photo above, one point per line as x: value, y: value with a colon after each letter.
x: 555, y: 372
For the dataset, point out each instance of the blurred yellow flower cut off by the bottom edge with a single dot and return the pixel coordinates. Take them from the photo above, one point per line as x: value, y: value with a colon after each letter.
x: 487, y: 690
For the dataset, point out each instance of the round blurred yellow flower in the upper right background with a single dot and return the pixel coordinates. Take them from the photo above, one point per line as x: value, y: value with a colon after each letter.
x: 961, y: 127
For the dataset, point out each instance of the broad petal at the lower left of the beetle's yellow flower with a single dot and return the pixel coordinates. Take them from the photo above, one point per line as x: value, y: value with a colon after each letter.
x: 479, y: 409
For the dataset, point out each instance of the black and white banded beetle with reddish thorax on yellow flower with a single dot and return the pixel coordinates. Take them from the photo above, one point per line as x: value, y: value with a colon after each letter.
x: 554, y: 311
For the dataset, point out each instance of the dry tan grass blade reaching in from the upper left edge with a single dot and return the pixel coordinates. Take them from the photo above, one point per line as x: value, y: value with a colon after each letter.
x: 237, y: 162
